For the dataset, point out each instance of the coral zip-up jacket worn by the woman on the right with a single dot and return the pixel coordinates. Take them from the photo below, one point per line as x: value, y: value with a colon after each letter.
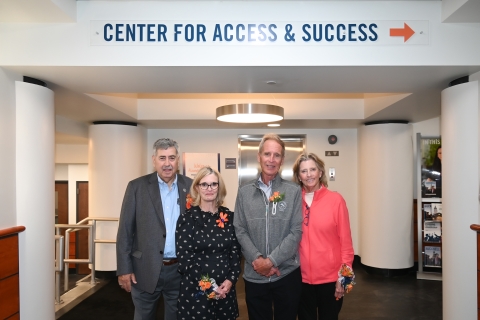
x: 326, y: 242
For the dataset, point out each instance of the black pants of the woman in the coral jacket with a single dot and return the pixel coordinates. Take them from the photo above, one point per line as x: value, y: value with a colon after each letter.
x: 318, y: 302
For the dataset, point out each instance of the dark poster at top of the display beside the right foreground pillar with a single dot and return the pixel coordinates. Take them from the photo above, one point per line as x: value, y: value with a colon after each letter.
x: 431, y: 167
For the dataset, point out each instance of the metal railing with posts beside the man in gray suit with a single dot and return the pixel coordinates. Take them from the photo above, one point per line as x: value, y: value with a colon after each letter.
x: 63, y: 262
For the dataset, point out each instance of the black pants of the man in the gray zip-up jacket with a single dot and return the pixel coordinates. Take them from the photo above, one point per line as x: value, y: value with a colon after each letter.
x: 282, y: 296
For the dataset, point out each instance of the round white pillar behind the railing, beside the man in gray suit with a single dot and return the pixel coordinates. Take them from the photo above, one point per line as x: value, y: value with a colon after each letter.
x: 116, y: 156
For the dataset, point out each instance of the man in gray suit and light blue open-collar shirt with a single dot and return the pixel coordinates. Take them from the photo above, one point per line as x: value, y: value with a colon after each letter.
x: 146, y: 254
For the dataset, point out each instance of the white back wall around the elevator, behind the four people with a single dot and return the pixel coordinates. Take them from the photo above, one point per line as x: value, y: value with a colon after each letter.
x: 226, y: 143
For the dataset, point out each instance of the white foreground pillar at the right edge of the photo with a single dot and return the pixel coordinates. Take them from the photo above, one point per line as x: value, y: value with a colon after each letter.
x: 460, y: 198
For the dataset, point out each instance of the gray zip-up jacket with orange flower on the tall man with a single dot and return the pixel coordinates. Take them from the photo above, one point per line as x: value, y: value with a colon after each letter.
x: 268, y: 229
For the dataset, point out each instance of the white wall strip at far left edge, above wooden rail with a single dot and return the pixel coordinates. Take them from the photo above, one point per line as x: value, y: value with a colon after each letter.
x: 7, y: 146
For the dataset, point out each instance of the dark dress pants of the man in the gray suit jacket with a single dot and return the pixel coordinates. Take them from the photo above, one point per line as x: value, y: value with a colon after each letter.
x: 169, y: 285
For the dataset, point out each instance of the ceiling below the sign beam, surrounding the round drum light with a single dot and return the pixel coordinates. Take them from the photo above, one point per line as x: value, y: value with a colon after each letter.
x: 87, y: 94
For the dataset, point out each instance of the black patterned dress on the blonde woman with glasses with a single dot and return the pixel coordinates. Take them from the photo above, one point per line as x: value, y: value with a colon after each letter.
x: 204, y: 248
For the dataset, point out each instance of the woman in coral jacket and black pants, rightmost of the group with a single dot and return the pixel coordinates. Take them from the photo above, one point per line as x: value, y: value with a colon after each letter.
x: 326, y: 251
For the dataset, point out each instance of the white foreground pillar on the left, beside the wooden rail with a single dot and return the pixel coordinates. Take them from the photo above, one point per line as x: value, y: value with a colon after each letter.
x: 35, y: 190
